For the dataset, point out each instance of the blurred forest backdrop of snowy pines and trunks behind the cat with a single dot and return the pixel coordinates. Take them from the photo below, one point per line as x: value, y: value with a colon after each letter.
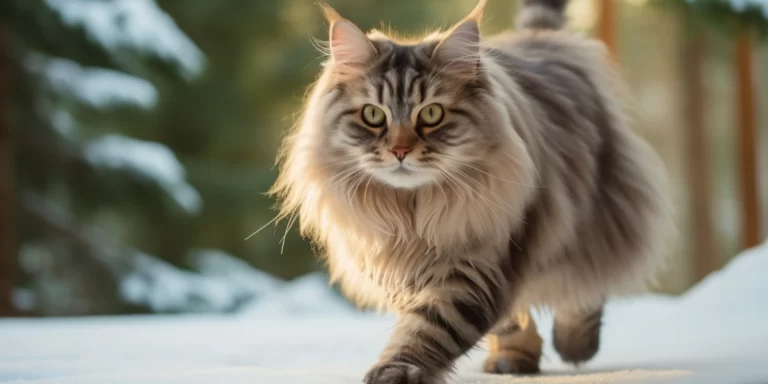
x: 137, y: 138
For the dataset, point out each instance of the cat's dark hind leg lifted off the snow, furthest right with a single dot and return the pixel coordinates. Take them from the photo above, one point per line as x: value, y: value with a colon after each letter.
x: 576, y: 334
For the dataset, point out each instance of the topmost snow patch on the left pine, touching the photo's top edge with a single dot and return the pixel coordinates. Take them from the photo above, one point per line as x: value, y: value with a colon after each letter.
x: 138, y: 25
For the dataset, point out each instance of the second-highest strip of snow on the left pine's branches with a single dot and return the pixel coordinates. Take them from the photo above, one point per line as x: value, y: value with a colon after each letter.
x: 96, y: 87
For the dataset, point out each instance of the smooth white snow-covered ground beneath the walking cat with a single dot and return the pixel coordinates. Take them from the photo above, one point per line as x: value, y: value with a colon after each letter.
x: 714, y: 334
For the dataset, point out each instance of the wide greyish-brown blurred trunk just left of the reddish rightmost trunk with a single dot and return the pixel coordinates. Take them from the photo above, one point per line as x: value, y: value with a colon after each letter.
x: 704, y: 240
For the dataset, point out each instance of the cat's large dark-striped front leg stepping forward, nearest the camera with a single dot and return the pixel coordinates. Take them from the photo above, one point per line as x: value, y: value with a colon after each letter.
x: 441, y: 322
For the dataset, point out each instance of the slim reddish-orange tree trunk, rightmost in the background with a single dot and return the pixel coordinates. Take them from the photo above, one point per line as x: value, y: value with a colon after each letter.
x: 747, y: 142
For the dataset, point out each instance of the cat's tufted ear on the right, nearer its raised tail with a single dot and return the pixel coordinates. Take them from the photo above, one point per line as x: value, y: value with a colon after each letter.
x: 459, y: 51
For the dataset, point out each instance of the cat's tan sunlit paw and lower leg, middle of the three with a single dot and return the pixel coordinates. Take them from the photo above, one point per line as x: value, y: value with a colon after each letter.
x: 514, y: 346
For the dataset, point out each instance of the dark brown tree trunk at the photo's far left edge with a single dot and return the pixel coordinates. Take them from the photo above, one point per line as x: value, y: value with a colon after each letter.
x: 7, y: 189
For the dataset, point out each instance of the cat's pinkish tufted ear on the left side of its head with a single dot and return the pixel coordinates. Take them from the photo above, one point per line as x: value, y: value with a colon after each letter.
x: 349, y: 45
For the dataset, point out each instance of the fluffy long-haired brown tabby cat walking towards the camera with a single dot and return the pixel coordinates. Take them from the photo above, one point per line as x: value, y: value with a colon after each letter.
x: 459, y: 180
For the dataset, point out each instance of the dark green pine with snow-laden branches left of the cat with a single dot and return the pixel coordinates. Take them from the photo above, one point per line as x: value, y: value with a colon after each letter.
x: 84, y: 73
